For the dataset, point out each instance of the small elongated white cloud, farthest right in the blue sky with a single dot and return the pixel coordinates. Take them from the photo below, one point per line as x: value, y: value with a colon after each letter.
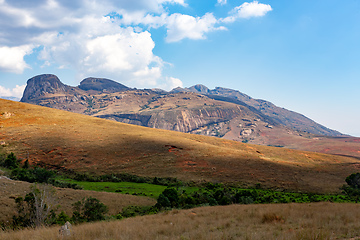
x: 248, y: 10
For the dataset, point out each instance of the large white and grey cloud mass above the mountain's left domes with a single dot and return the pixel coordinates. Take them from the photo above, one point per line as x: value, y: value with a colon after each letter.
x: 76, y: 34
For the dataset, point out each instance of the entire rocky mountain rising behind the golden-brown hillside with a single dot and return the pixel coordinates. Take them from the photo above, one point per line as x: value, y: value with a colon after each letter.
x: 221, y: 112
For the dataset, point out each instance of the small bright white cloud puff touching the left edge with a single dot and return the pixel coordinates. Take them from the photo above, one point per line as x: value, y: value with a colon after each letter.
x: 12, y: 58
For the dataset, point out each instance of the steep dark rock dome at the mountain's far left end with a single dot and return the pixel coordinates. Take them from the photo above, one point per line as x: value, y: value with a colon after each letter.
x: 41, y: 85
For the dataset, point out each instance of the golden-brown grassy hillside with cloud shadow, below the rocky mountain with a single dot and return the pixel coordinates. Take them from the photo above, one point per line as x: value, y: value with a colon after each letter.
x: 65, y: 140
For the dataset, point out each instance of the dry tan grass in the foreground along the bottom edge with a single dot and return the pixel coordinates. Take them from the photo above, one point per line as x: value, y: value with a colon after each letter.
x: 269, y: 221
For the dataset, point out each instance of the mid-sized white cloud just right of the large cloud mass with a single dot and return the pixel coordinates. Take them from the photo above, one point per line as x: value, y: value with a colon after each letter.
x: 181, y: 26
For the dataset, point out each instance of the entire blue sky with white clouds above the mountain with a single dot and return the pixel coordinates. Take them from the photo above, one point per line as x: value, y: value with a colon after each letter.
x: 302, y: 55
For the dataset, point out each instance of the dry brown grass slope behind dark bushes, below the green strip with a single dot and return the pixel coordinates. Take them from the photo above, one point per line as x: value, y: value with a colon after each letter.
x: 9, y: 190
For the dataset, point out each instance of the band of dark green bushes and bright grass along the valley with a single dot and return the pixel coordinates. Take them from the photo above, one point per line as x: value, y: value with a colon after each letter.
x: 173, y: 194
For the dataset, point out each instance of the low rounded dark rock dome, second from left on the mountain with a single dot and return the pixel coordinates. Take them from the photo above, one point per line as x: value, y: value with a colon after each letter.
x: 102, y: 85
